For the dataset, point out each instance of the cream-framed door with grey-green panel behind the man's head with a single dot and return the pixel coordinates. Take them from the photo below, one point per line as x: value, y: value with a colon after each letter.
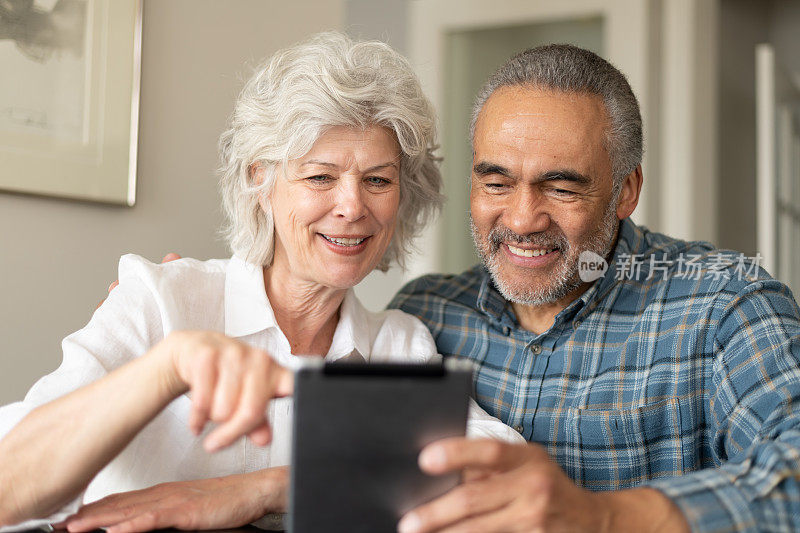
x: 455, y: 44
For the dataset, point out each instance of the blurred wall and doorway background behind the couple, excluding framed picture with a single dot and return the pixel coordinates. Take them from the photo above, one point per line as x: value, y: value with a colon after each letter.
x: 718, y: 82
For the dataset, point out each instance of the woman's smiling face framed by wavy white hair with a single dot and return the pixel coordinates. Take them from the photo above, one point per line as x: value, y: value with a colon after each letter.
x: 335, y: 210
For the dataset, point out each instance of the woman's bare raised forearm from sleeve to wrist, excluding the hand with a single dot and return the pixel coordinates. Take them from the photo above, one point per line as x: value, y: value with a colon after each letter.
x: 54, y: 452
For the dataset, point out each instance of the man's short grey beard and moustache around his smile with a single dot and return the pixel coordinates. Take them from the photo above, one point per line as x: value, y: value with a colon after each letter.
x: 565, y: 278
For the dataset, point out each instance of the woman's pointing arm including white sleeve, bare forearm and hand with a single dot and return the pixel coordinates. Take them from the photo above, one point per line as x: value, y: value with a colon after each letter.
x: 77, y: 419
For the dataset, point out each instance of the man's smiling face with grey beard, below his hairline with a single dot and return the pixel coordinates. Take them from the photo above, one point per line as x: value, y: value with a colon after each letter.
x: 542, y: 190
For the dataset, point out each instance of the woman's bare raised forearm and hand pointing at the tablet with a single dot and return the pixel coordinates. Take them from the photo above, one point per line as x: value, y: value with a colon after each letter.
x: 231, y: 383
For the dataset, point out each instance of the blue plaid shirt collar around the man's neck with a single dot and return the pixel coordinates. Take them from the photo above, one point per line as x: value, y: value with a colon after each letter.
x: 630, y: 241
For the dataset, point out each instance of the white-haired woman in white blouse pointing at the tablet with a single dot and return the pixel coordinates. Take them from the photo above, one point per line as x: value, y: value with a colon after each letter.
x: 327, y: 173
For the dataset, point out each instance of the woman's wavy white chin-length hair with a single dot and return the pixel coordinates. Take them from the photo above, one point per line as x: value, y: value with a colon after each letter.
x: 292, y: 99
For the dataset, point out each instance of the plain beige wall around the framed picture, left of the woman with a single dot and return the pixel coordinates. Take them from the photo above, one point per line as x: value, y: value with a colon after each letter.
x: 56, y: 257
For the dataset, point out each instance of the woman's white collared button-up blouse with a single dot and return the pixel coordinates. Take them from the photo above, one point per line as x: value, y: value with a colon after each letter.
x: 218, y: 295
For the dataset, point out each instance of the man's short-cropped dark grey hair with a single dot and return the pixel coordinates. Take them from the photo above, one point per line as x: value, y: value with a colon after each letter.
x: 567, y: 68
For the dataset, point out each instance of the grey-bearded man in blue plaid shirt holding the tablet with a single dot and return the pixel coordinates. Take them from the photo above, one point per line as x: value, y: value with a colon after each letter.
x: 663, y: 396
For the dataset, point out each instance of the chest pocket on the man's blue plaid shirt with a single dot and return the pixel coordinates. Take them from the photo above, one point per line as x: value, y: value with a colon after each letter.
x: 617, y: 449
